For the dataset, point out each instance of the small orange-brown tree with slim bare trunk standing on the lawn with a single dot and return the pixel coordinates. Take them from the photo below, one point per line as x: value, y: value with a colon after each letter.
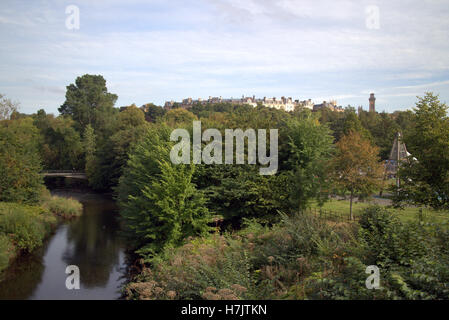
x: 356, y: 167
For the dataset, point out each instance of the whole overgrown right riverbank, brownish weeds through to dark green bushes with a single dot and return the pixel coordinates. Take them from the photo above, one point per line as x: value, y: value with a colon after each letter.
x: 304, y: 256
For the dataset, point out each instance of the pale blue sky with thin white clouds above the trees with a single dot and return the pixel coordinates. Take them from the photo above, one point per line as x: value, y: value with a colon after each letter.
x: 156, y: 51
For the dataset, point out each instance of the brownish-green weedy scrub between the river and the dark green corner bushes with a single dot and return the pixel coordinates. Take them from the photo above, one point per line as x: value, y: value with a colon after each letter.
x: 257, y: 263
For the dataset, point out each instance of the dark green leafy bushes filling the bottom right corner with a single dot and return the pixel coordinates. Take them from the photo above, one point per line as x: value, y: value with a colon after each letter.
x: 412, y: 258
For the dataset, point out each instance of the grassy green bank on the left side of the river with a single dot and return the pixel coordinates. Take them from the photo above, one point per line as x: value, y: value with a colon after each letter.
x: 23, y: 228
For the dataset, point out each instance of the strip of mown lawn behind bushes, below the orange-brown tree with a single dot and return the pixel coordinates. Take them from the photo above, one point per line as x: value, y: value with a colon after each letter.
x: 341, y: 207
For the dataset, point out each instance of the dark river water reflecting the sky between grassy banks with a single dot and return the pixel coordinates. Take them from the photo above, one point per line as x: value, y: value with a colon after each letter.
x: 90, y: 242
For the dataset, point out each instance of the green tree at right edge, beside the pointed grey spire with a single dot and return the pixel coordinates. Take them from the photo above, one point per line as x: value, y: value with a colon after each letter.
x: 425, y: 181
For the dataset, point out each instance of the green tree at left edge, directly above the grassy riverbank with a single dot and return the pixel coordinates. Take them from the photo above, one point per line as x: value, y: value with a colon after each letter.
x: 20, y: 165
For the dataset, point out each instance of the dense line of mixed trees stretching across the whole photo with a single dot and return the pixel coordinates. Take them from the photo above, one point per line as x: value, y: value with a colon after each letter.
x: 125, y: 151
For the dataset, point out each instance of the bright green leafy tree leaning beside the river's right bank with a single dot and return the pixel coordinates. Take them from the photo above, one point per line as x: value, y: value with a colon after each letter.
x: 160, y: 205
